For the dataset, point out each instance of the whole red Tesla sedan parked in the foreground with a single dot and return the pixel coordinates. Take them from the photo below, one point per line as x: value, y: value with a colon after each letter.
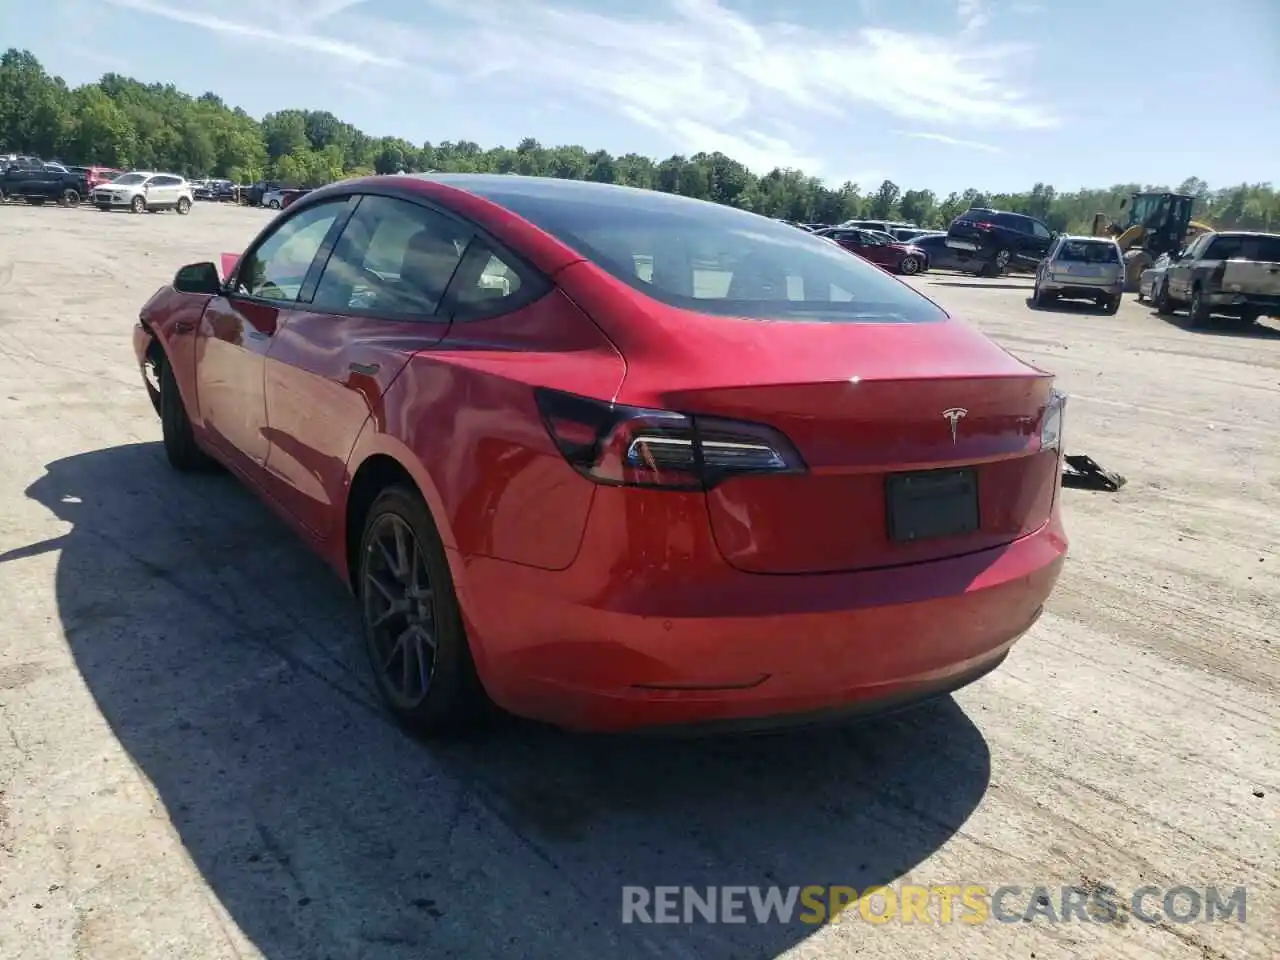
x: 616, y: 459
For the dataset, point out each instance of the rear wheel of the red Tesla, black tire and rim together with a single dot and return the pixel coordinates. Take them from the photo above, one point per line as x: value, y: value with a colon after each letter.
x: 417, y: 579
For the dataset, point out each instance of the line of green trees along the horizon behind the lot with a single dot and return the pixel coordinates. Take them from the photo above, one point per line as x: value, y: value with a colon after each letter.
x: 121, y: 122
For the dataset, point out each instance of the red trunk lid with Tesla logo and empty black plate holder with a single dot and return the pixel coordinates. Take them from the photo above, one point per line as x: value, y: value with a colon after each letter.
x: 867, y: 405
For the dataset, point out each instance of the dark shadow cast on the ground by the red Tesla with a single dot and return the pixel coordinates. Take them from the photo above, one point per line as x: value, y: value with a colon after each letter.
x: 225, y: 657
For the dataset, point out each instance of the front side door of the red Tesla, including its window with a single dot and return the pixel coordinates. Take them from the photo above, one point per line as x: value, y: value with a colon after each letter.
x: 239, y: 327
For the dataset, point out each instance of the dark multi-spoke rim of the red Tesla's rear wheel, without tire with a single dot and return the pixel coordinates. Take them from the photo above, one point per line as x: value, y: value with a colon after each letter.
x: 400, y: 611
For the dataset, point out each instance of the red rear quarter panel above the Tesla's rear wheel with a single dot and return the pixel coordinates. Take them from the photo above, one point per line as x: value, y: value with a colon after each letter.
x: 464, y: 415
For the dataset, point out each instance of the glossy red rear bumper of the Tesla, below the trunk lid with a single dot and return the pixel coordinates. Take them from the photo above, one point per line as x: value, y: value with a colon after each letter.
x: 650, y: 628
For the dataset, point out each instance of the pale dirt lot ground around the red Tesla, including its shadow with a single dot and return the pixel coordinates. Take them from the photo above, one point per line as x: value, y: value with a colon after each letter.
x: 193, y: 764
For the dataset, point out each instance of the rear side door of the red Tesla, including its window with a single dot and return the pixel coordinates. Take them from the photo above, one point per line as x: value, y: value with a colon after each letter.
x: 376, y: 304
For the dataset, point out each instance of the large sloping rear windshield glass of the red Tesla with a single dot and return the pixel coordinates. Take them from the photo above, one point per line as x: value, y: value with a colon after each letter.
x: 719, y: 260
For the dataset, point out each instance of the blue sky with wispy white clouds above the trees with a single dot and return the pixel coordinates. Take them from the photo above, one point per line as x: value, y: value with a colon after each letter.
x: 941, y: 94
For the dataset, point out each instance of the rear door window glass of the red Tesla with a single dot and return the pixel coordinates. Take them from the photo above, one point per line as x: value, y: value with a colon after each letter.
x: 394, y: 259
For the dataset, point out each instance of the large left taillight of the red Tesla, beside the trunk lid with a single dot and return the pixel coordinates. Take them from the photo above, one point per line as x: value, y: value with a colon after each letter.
x: 612, y: 444
